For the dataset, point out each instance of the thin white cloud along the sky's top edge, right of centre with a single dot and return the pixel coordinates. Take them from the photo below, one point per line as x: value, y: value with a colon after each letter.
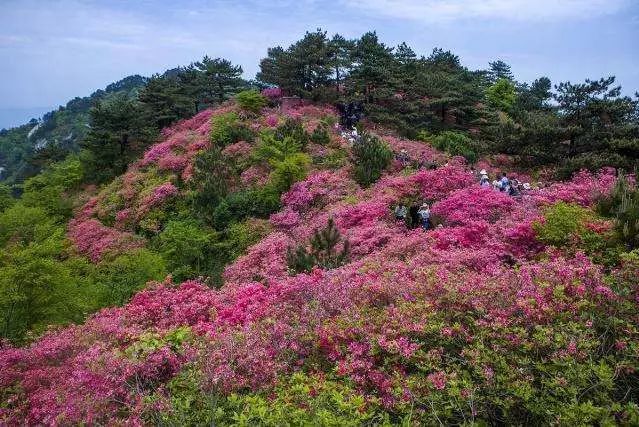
x: 516, y: 10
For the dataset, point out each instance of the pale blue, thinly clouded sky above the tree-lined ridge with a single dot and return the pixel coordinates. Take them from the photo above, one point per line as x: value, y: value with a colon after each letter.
x: 54, y: 50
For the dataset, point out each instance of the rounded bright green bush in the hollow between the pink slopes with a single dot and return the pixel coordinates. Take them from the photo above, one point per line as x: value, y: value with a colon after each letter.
x: 185, y: 245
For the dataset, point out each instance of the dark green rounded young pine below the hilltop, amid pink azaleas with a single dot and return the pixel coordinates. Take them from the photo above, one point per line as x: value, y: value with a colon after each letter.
x: 370, y: 157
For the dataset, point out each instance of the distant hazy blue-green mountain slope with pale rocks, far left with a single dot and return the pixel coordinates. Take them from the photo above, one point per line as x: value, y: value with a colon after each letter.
x: 58, y: 131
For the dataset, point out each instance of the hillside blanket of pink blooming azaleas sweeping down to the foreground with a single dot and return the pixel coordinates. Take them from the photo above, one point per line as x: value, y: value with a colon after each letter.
x: 484, y: 318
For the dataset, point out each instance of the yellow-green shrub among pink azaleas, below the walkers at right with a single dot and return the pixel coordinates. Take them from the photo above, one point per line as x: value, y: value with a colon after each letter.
x: 562, y: 221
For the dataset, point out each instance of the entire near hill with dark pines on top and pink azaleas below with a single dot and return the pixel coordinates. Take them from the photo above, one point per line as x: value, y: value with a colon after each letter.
x: 225, y: 252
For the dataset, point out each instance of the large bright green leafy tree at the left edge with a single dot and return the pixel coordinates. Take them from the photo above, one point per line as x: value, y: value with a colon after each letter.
x: 38, y: 286
